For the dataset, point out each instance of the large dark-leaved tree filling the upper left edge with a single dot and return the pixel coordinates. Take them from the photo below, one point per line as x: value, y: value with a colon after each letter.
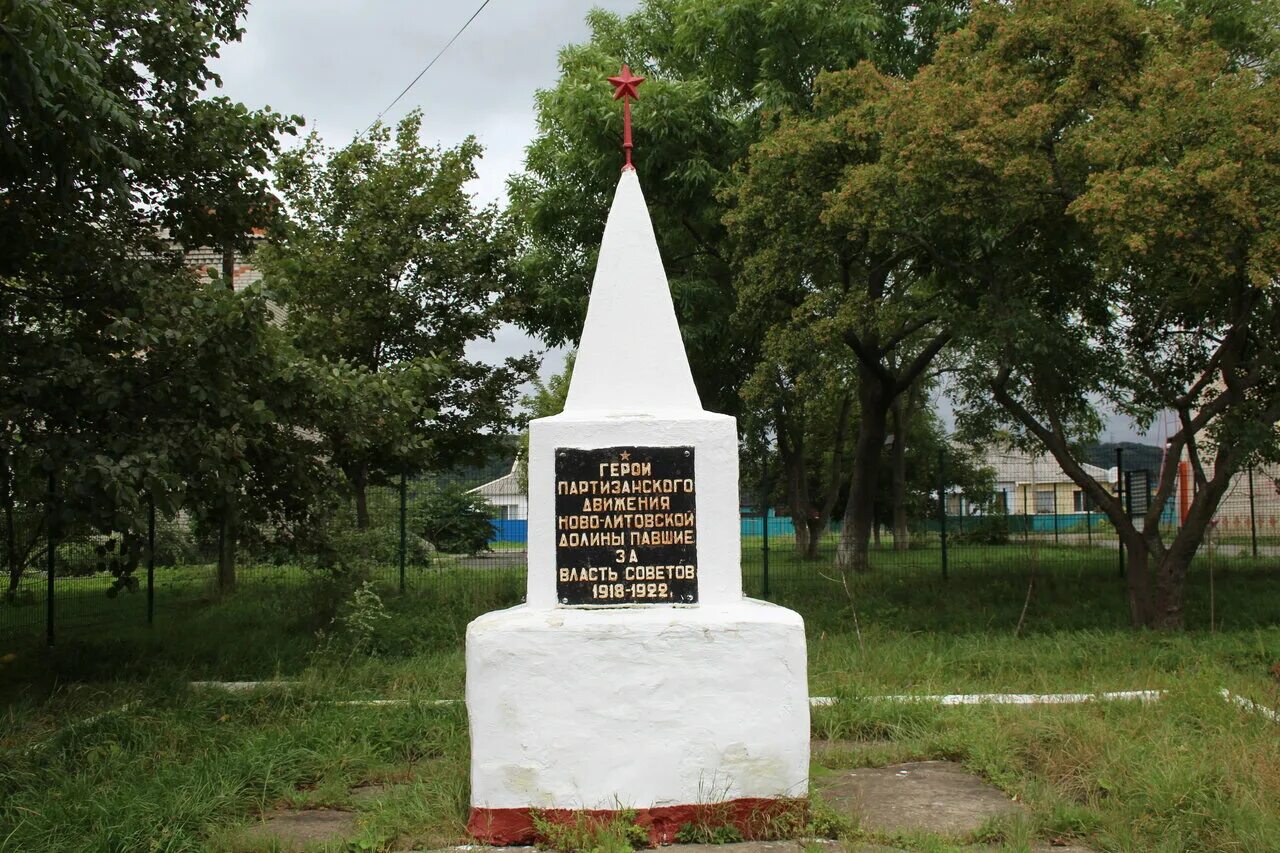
x: 109, y: 139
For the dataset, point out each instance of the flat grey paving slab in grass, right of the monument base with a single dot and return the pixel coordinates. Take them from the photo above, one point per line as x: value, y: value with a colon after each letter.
x: 938, y: 797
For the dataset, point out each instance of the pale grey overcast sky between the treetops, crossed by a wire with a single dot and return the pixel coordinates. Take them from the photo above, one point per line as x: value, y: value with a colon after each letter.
x: 340, y: 63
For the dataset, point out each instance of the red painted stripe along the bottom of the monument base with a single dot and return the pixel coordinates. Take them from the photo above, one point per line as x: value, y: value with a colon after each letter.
x: 753, y: 816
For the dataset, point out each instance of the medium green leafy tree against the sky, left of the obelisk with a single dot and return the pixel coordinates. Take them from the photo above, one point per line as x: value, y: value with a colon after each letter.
x: 388, y: 272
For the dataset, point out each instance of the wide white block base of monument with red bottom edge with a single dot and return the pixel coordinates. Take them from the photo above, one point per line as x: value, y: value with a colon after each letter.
x: 659, y: 710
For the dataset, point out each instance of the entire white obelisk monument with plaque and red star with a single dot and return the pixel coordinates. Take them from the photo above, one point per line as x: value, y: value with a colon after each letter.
x: 637, y: 676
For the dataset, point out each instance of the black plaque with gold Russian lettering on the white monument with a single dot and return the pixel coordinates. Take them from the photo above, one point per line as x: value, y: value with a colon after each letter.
x: 625, y: 527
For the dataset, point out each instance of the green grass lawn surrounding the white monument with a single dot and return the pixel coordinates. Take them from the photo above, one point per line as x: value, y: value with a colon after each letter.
x: 103, y: 746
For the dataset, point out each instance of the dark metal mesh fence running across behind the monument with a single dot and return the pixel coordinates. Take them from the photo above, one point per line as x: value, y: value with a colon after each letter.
x: 468, y: 541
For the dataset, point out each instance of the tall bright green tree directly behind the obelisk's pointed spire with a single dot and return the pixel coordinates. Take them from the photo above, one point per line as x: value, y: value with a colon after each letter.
x: 716, y: 74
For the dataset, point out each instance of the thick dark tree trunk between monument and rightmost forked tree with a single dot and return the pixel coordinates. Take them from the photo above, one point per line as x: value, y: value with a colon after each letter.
x: 852, y: 554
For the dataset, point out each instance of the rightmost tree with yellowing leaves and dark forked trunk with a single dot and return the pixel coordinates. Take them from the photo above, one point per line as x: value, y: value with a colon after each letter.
x: 1098, y: 183
